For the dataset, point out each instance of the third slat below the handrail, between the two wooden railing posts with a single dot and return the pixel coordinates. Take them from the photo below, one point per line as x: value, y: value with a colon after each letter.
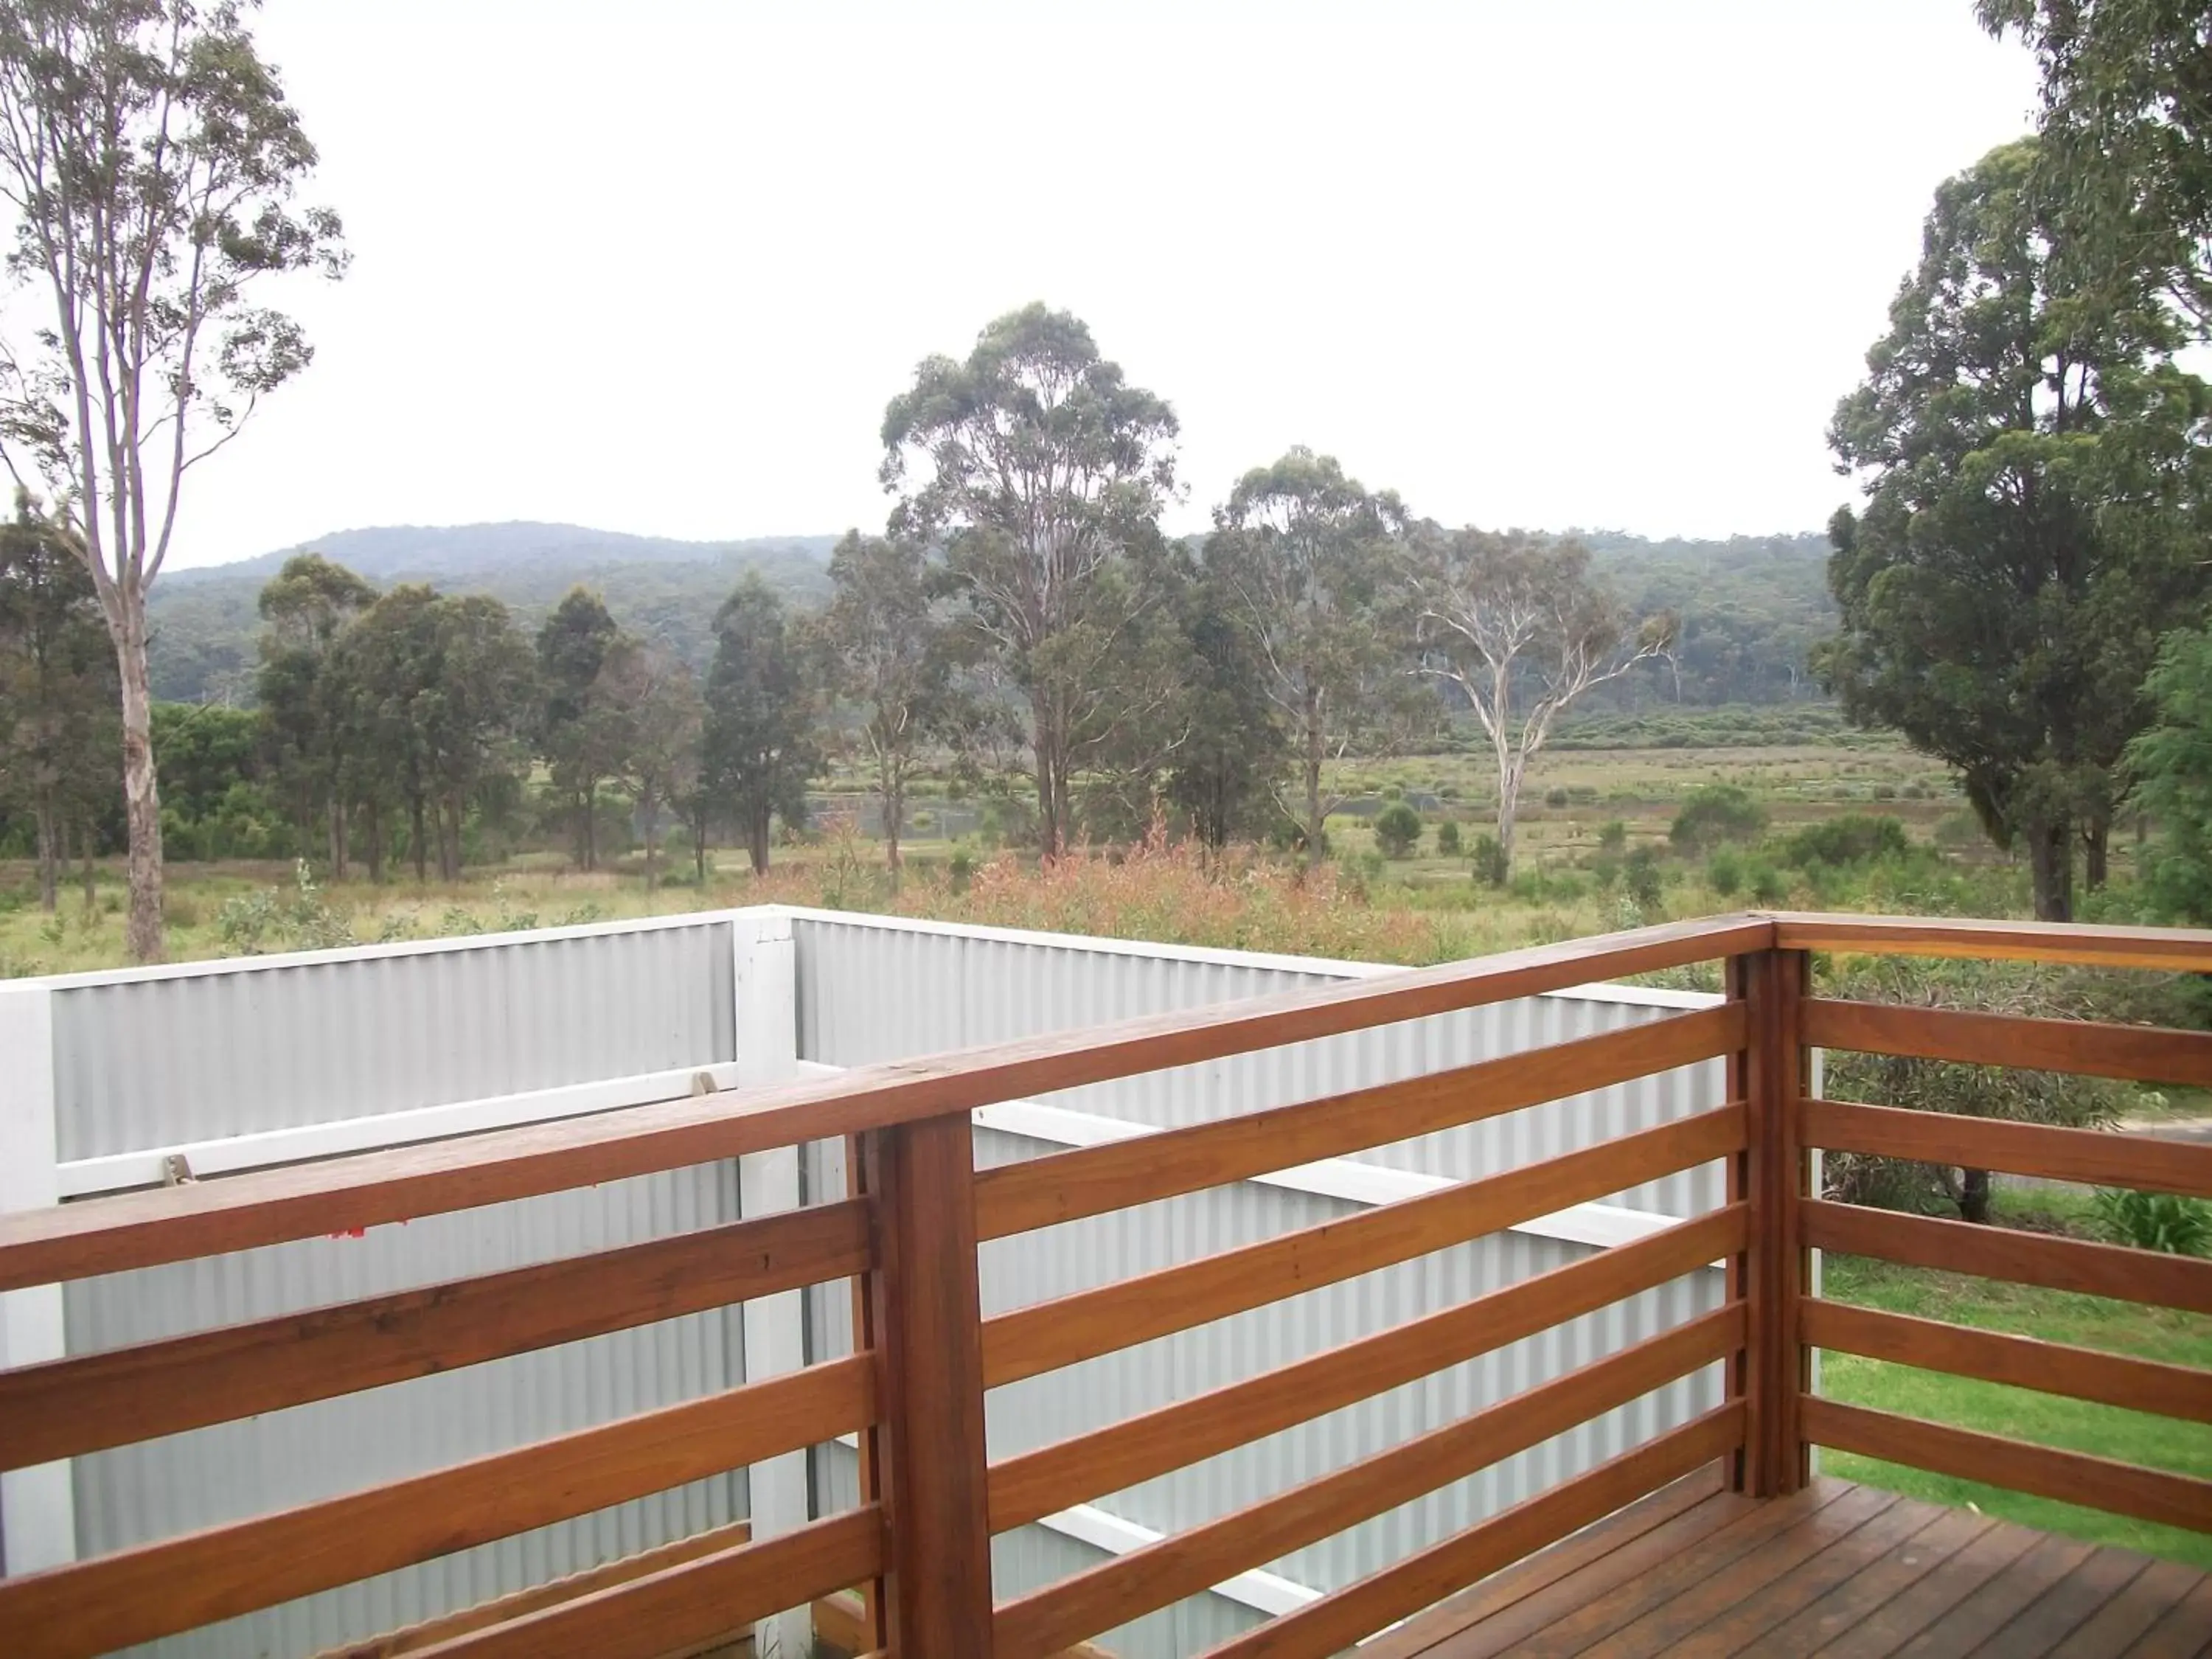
x: 1123, y: 1454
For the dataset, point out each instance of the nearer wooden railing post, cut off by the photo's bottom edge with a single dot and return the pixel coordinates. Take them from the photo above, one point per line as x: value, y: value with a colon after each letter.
x: 928, y: 1461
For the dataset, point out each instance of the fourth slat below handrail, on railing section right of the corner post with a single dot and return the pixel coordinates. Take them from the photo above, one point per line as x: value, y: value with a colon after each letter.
x: 2023, y: 1361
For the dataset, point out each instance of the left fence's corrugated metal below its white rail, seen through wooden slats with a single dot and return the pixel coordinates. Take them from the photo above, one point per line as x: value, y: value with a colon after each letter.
x: 328, y: 1448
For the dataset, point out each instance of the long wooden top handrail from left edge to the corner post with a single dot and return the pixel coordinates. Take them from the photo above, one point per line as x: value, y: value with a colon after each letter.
x: 373, y: 1189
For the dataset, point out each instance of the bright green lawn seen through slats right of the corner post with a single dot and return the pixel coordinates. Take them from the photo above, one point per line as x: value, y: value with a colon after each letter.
x: 2047, y: 1419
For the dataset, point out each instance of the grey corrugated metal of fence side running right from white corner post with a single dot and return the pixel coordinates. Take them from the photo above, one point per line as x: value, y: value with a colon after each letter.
x: 870, y: 992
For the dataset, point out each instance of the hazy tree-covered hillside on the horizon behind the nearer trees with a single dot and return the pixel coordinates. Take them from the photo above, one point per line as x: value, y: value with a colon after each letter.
x: 1751, y: 607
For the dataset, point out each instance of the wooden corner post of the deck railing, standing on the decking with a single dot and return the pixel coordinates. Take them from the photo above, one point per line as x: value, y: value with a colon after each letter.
x: 1771, y: 1176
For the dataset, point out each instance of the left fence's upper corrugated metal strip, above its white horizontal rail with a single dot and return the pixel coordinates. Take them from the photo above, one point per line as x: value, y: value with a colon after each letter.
x: 154, y: 1061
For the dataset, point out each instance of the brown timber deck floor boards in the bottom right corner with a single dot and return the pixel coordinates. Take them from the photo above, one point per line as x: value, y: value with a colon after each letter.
x: 1837, y: 1572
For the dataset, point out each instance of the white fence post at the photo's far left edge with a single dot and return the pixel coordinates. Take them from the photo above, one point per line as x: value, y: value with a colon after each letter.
x: 39, y: 1507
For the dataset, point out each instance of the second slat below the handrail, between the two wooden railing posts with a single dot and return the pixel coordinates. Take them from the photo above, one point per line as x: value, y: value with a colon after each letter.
x: 1136, y: 1311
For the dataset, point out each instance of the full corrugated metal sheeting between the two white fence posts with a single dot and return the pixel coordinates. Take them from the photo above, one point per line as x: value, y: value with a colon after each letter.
x: 229, y: 1050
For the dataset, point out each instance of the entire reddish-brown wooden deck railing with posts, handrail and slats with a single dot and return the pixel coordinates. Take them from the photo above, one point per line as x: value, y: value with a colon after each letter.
x: 915, y: 1390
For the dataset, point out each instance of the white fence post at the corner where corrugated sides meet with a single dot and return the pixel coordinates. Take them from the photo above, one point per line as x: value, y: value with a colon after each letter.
x: 775, y: 1326
